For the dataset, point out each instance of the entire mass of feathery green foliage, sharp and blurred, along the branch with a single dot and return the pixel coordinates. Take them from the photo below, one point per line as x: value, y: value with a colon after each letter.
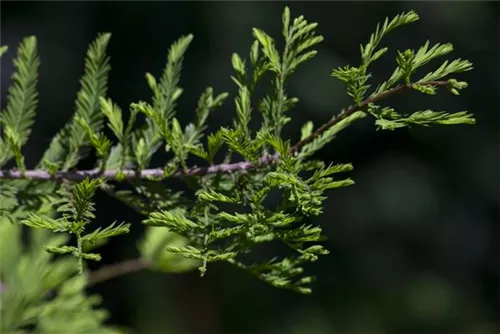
x: 265, y: 191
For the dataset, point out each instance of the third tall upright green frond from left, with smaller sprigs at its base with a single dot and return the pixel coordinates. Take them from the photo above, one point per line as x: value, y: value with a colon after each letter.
x: 162, y: 126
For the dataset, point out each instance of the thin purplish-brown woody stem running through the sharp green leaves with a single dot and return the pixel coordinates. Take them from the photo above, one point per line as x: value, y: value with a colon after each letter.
x: 40, y: 174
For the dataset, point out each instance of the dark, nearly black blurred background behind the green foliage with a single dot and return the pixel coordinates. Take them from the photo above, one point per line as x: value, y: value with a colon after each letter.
x: 414, y: 244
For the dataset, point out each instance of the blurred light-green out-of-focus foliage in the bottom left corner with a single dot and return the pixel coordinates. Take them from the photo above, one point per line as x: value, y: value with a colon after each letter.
x: 42, y: 294
